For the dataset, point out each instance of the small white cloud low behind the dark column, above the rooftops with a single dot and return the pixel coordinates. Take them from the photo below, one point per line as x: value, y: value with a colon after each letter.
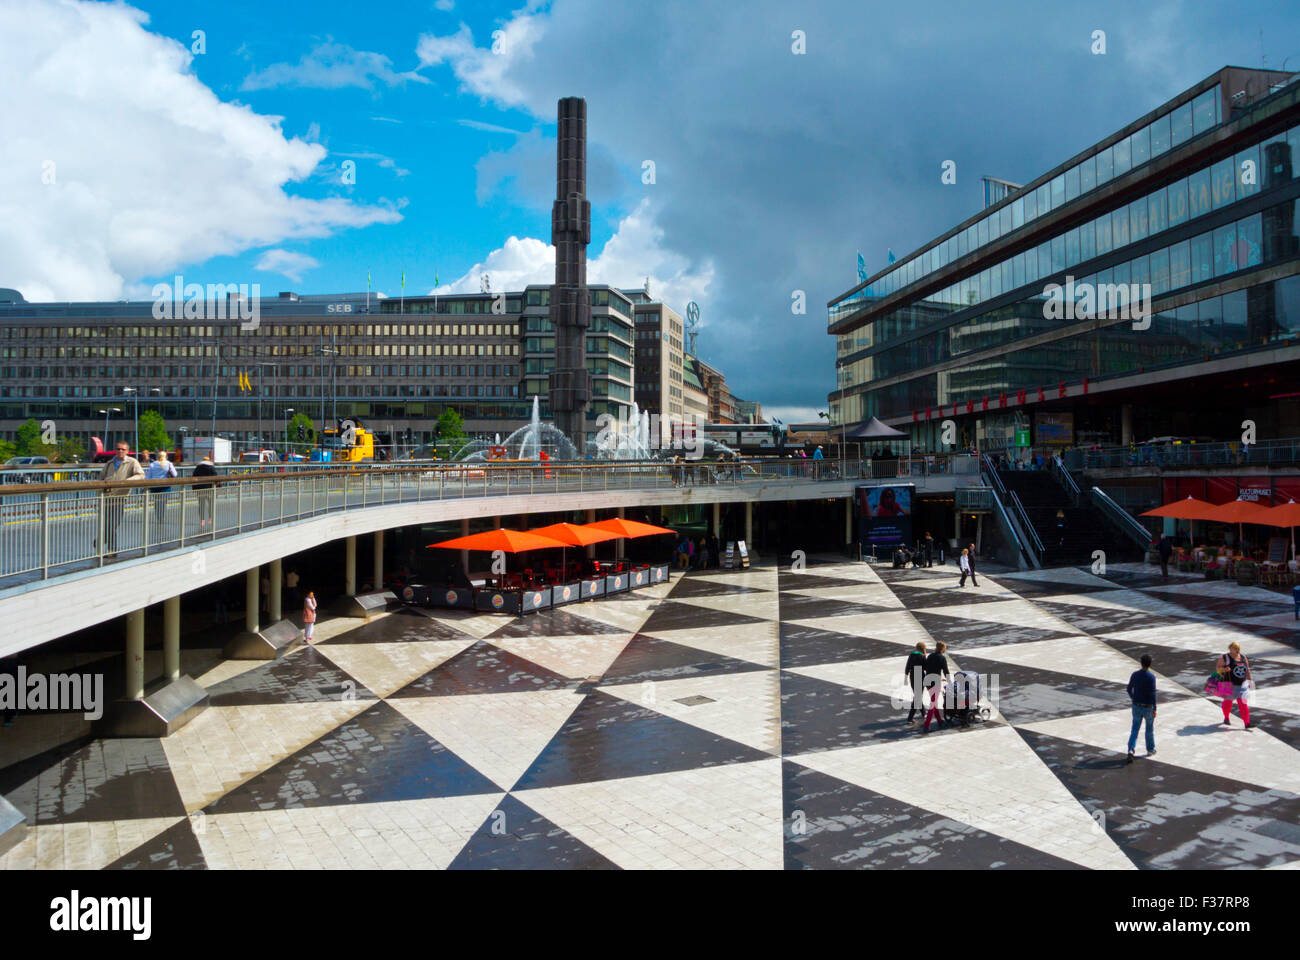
x: 632, y: 254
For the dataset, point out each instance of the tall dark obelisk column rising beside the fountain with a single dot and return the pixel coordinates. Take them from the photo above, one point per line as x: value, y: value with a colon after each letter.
x: 571, y: 305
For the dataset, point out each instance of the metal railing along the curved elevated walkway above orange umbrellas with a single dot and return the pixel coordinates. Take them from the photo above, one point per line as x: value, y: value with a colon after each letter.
x: 54, y: 529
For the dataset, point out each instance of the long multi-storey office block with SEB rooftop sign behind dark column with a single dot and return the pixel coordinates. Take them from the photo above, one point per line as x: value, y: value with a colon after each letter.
x: 393, y: 364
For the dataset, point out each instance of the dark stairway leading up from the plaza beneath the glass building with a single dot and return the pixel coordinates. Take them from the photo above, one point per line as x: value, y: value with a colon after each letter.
x: 1084, y: 529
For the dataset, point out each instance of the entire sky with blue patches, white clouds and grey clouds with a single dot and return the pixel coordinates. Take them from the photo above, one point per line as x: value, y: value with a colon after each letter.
x: 740, y: 154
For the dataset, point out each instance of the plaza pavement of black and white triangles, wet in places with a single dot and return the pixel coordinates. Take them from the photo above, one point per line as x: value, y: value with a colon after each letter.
x: 727, y: 720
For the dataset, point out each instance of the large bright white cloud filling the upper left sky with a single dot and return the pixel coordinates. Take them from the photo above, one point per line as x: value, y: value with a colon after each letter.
x: 151, y: 170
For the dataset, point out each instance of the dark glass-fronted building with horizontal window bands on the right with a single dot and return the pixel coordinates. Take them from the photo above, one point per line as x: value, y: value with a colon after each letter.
x: 1193, y: 206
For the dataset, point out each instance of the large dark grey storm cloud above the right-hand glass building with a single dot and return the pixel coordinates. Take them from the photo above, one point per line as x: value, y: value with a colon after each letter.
x: 779, y: 168
